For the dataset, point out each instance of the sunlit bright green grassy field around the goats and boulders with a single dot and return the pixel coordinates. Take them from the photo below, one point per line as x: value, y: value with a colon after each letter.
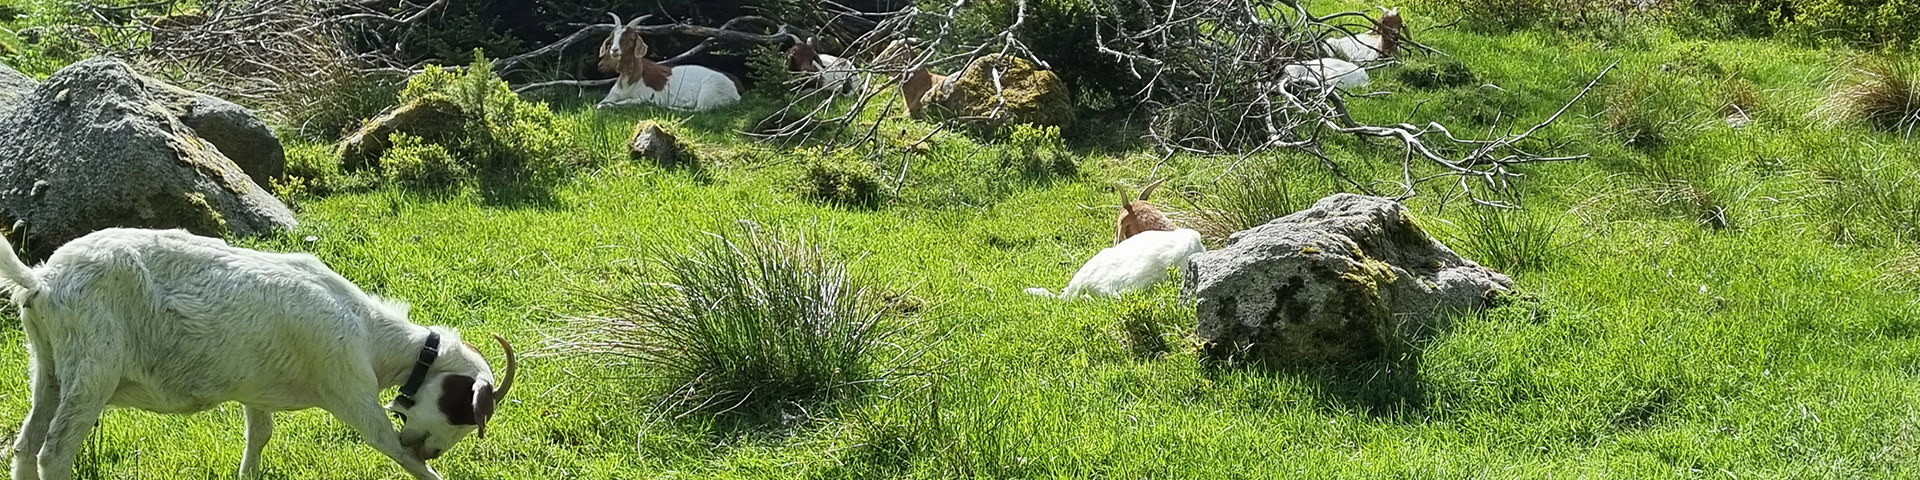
x: 1706, y: 302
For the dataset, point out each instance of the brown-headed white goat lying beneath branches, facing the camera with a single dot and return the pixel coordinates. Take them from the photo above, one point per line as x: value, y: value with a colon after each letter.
x: 644, y: 82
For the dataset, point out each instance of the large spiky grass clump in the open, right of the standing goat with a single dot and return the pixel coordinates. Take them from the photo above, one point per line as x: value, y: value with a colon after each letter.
x: 746, y: 322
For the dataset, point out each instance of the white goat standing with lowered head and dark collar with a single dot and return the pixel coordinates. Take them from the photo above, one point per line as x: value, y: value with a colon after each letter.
x: 176, y: 324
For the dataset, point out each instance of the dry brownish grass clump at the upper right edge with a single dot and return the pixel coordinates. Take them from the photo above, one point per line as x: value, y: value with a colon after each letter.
x: 1884, y: 93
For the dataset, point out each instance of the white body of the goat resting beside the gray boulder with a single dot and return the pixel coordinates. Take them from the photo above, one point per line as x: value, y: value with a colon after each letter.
x: 1132, y: 266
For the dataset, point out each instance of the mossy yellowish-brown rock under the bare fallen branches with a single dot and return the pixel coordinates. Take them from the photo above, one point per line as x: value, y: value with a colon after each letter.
x: 1032, y: 95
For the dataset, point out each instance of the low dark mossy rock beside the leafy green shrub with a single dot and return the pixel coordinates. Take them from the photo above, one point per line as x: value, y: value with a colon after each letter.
x: 431, y: 118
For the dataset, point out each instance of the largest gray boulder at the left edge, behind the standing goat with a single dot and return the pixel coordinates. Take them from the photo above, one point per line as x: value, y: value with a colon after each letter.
x: 95, y: 147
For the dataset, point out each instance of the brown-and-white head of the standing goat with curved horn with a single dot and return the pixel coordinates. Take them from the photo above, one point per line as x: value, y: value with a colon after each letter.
x: 456, y: 400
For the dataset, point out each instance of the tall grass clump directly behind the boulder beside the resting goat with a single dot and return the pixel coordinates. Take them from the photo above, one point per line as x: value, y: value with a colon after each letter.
x: 1245, y: 201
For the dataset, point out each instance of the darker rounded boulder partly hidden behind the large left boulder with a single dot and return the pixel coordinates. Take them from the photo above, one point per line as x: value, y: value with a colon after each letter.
x: 233, y: 130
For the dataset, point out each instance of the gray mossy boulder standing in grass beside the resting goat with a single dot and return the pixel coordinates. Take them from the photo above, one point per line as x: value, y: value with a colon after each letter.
x: 1343, y: 281
